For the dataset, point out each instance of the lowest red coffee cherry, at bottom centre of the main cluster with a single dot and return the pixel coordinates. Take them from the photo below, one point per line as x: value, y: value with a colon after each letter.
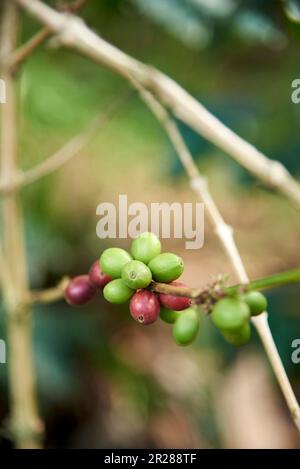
x: 144, y: 307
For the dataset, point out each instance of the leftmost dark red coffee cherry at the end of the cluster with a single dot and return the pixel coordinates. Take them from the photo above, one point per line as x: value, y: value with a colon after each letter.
x: 80, y: 291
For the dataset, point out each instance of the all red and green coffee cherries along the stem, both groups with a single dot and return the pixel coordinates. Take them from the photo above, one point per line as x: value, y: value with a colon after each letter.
x: 127, y: 277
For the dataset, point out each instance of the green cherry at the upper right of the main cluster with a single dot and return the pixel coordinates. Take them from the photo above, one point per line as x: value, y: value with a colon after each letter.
x: 166, y: 267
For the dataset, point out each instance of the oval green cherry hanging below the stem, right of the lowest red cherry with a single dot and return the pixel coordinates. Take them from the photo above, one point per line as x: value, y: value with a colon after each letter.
x: 186, y: 327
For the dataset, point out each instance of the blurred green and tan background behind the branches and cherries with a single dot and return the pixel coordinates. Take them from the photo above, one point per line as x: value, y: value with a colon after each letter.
x: 103, y: 380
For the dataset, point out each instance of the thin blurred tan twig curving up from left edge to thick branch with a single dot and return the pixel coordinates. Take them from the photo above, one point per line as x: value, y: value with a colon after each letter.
x: 67, y: 152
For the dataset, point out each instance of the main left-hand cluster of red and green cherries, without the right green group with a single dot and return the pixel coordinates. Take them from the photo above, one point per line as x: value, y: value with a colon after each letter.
x: 124, y: 276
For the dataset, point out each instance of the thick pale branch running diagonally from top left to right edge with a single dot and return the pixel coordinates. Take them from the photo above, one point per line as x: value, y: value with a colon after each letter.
x: 73, y: 33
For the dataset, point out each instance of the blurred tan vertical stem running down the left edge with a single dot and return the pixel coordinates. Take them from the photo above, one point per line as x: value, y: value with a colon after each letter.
x: 25, y: 423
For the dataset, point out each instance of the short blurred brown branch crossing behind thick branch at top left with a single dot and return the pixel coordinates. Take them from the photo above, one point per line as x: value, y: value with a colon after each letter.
x: 24, y: 51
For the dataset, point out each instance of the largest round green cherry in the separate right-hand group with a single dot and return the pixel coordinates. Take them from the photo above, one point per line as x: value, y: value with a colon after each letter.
x: 230, y: 314
